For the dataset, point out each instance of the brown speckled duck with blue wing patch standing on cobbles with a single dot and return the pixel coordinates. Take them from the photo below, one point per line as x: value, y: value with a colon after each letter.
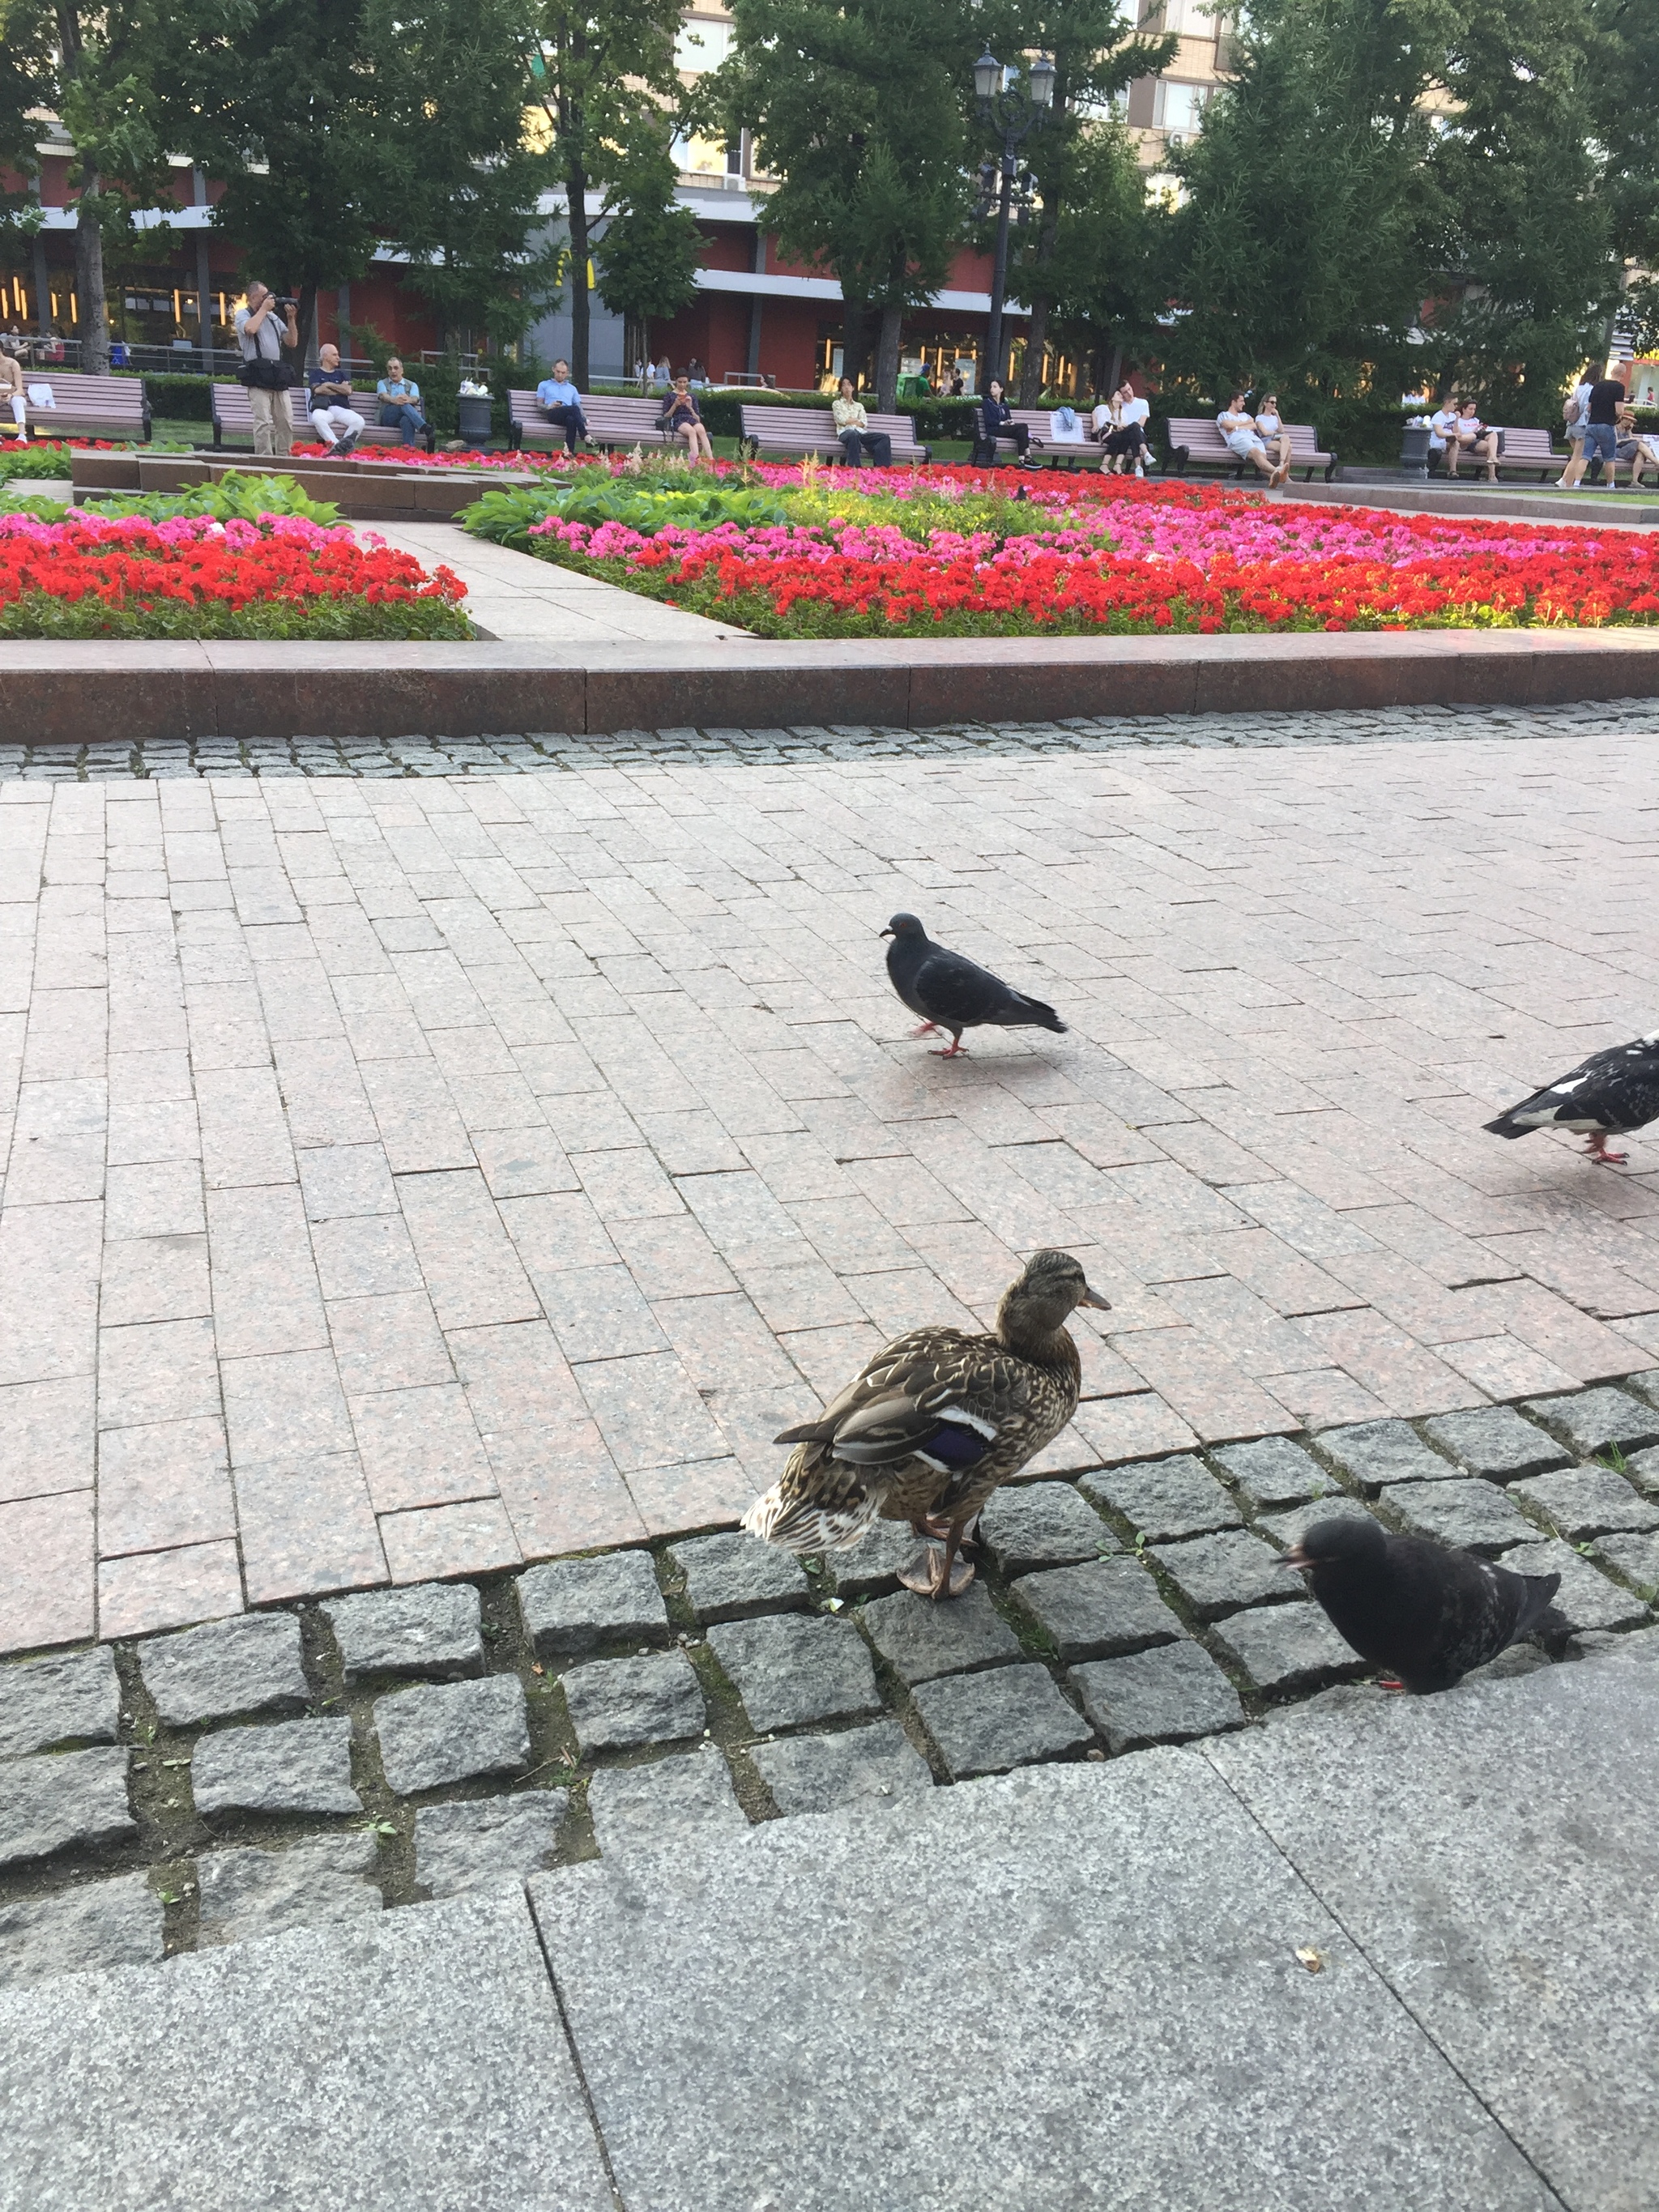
x: 932, y: 1426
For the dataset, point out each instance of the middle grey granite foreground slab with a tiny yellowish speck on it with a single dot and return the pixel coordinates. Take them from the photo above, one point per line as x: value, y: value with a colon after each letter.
x: 1100, y: 1921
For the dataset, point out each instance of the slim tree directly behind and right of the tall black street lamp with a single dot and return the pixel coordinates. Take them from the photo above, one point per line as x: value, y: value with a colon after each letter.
x: 1078, y: 158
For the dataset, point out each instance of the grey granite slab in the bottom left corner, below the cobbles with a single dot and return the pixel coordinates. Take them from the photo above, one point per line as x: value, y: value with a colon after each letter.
x: 413, y: 2060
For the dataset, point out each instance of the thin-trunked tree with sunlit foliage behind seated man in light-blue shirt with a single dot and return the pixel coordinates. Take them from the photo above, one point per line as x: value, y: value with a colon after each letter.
x: 605, y: 81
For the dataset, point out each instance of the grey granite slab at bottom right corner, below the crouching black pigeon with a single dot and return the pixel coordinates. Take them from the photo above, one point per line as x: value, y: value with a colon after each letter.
x: 1503, y: 1914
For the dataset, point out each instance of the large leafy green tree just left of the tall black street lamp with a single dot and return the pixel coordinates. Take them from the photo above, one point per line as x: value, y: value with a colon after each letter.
x: 857, y: 109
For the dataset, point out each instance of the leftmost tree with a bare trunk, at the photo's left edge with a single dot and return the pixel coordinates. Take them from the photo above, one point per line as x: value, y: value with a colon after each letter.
x: 94, y: 70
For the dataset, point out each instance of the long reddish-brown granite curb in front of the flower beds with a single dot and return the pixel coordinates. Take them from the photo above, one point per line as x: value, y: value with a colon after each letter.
x: 54, y: 693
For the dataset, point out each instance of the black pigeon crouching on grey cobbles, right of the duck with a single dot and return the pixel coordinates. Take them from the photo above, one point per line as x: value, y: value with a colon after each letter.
x: 1417, y: 1609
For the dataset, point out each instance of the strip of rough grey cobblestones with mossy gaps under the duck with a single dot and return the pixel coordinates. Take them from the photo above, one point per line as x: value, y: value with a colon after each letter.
x: 311, y: 1764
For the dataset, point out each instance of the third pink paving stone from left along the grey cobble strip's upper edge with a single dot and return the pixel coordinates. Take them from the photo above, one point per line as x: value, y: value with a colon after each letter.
x: 306, y: 1525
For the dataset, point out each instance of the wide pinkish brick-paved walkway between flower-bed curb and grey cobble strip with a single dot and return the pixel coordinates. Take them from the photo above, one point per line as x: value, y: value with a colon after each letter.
x: 424, y: 1185
